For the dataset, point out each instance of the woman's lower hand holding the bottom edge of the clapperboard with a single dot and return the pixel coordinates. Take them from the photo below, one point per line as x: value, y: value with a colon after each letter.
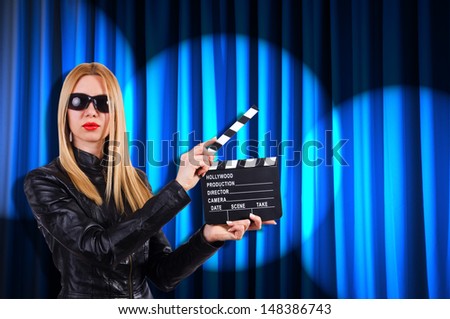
x: 233, y: 230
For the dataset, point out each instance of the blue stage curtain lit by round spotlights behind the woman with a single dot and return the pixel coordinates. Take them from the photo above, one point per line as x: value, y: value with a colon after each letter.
x: 353, y: 99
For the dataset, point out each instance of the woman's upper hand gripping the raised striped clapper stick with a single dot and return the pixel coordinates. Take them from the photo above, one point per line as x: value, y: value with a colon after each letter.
x: 194, y: 164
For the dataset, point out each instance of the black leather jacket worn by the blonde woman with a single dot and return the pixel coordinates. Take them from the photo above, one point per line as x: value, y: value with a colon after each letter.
x: 101, y: 253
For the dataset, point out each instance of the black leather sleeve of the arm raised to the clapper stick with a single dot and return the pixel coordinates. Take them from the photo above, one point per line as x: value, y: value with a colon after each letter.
x: 57, y: 210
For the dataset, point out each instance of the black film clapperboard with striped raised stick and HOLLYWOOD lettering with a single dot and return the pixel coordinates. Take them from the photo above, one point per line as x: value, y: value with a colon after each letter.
x: 233, y: 189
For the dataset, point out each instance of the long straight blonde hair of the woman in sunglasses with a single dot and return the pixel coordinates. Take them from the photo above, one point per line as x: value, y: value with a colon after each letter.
x: 122, y: 178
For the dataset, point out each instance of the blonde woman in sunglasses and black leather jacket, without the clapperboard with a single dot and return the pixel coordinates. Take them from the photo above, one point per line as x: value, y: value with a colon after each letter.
x: 97, y: 213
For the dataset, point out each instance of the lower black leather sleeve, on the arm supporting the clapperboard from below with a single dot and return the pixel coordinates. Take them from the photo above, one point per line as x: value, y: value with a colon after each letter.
x: 167, y: 268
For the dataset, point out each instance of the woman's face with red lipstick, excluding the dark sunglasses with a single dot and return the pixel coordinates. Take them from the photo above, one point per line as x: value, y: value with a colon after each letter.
x: 89, y: 126
